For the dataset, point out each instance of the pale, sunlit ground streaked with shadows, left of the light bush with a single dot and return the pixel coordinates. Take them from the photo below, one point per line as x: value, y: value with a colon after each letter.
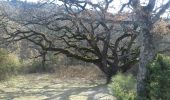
x: 48, y: 87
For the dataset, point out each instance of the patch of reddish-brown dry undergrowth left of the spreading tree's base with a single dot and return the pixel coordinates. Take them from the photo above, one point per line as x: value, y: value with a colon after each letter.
x: 87, y: 72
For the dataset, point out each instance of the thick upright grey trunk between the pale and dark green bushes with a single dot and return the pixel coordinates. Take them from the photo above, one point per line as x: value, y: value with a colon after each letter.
x: 147, y: 54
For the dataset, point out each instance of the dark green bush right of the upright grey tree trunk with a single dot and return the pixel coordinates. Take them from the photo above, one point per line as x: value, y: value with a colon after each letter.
x: 159, y: 81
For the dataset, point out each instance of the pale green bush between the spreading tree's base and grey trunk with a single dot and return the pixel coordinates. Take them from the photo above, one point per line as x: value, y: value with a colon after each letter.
x: 123, y: 87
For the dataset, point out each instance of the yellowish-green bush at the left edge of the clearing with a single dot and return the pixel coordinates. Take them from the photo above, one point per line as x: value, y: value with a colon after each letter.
x: 9, y: 64
